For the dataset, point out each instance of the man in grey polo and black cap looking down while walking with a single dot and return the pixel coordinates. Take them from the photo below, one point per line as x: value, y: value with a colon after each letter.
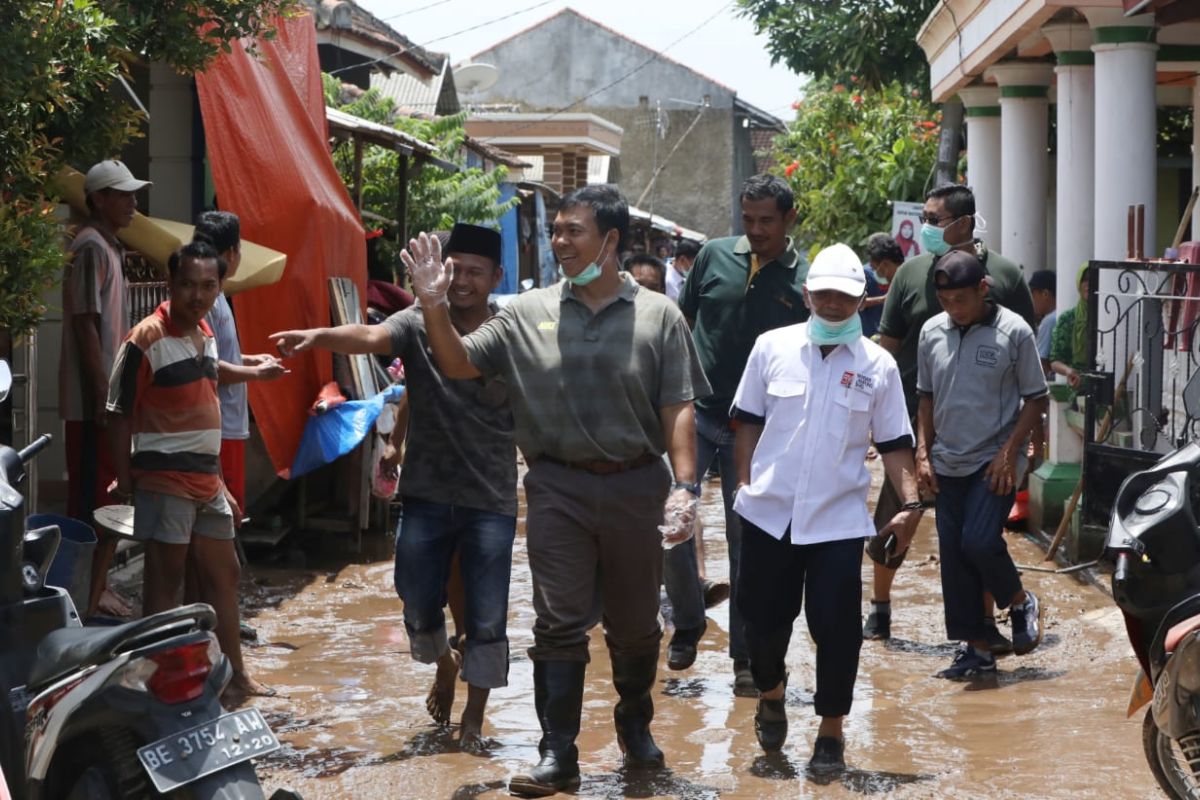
x: 981, y: 394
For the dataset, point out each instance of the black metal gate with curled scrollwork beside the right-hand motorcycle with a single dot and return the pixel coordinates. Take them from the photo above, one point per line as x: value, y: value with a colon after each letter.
x: 1143, y: 348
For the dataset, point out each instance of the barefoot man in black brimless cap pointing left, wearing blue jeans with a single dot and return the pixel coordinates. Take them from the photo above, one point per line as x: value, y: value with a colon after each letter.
x: 458, y: 482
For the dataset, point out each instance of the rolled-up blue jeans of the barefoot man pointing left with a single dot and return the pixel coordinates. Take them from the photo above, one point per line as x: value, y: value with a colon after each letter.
x: 427, y: 540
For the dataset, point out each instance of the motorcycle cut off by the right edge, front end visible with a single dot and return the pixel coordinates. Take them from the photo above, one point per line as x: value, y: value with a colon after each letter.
x: 1155, y: 543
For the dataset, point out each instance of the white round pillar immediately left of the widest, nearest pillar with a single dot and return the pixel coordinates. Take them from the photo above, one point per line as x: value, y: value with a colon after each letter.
x: 1076, y: 169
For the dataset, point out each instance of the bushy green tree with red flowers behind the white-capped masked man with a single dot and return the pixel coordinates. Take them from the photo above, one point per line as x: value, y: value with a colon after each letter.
x: 850, y: 153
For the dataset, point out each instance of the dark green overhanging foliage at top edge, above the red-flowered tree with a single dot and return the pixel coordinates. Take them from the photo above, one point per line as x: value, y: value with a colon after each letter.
x: 875, y: 40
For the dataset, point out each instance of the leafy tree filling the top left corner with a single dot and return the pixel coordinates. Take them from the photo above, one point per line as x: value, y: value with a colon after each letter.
x: 58, y: 107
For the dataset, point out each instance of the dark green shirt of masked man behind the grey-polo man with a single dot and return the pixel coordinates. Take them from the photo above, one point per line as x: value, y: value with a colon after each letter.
x: 913, y: 302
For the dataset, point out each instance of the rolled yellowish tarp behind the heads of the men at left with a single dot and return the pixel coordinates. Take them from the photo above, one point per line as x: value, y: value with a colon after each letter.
x: 158, y: 239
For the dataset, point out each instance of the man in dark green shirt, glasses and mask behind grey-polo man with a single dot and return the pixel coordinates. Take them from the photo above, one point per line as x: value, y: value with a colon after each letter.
x: 949, y: 225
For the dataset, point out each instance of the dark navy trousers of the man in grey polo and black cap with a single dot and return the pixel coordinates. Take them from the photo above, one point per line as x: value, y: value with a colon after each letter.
x: 975, y: 557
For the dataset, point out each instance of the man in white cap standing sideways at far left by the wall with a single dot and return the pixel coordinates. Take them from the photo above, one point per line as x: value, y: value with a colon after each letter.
x: 95, y: 321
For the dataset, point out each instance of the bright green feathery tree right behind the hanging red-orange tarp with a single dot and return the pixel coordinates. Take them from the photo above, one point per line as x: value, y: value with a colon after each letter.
x: 436, y: 199
